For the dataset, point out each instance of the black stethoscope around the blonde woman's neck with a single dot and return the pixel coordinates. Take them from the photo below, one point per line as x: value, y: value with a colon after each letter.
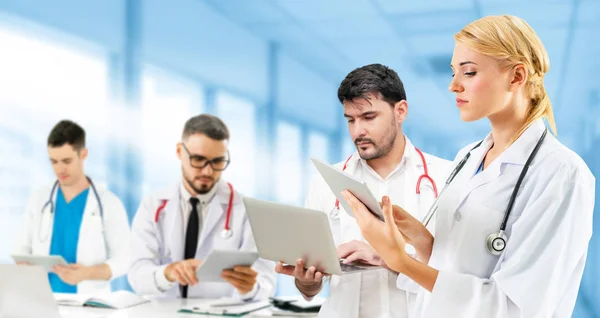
x: 495, y: 242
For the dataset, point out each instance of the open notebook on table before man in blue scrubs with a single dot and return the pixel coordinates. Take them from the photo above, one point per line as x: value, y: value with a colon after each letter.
x: 116, y: 300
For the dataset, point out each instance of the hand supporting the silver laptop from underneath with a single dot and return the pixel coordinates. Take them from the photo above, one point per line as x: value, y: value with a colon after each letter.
x: 308, y: 281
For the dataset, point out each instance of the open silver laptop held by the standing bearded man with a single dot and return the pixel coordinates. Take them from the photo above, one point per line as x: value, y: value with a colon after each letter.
x: 287, y: 233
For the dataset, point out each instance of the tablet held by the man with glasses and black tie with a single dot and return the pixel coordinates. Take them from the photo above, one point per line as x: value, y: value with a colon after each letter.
x: 218, y: 260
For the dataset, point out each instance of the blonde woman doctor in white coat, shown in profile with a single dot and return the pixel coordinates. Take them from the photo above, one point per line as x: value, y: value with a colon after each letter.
x: 513, y: 226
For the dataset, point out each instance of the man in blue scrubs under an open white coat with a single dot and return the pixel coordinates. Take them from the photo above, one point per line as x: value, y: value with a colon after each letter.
x: 81, y: 221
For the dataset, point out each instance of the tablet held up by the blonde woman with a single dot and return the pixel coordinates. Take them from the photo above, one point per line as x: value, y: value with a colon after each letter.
x: 339, y: 181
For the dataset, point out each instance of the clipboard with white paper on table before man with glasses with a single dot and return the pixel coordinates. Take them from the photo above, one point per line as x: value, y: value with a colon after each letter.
x: 220, y: 308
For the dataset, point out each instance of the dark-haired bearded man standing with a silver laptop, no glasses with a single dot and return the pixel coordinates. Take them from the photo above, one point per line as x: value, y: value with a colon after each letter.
x: 375, y: 107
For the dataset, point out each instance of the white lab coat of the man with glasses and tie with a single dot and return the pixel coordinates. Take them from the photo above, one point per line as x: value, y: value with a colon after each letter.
x: 156, y: 245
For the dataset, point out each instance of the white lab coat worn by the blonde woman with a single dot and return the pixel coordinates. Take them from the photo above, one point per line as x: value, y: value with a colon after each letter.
x: 548, y: 231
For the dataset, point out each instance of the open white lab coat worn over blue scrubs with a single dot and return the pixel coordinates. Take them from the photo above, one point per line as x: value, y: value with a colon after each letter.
x: 101, y: 239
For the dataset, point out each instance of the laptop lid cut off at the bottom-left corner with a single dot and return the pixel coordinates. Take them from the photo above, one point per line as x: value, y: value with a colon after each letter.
x: 25, y: 293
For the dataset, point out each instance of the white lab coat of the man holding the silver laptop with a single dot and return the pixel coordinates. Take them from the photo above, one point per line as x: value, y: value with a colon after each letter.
x: 344, y: 299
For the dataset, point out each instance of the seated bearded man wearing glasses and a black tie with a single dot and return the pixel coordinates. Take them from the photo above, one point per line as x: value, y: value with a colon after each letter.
x: 175, y: 229
